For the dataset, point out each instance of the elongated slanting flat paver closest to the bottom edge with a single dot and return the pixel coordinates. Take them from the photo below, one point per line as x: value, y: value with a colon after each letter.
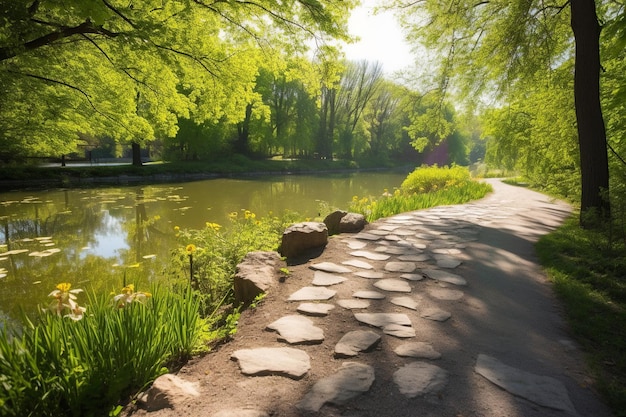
x: 350, y: 380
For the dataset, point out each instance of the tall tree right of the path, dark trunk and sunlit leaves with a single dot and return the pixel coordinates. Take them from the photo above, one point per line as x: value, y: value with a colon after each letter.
x: 500, y: 46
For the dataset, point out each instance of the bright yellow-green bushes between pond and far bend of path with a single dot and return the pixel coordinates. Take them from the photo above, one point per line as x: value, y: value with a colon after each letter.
x: 423, y: 188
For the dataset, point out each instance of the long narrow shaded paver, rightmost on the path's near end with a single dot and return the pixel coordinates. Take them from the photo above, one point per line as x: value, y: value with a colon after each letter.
x: 542, y: 390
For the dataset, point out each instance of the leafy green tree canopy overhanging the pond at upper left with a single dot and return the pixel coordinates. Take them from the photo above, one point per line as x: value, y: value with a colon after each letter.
x: 131, y: 69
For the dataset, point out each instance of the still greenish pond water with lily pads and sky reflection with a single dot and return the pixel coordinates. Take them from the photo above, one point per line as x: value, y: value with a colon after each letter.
x: 91, y: 237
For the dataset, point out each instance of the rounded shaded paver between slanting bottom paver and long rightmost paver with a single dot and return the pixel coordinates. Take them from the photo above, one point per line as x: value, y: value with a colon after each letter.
x: 420, y: 378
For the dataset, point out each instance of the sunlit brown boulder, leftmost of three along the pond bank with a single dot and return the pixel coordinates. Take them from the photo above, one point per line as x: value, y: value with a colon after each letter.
x: 256, y: 274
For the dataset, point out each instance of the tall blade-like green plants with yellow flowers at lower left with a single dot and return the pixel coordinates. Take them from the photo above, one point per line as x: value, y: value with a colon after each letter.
x: 56, y: 366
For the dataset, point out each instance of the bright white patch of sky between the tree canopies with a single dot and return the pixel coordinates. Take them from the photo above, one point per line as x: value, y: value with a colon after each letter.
x: 381, y: 39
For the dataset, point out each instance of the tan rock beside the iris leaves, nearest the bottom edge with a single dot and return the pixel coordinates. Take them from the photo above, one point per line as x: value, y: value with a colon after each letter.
x: 167, y: 391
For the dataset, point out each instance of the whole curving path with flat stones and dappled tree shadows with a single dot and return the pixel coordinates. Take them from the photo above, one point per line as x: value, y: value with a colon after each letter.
x: 443, y: 312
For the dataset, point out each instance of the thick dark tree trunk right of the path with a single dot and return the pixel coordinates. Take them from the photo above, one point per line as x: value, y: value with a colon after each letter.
x: 594, y: 163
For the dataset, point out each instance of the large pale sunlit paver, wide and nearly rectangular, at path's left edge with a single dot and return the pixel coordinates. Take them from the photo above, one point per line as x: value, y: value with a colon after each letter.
x: 284, y: 361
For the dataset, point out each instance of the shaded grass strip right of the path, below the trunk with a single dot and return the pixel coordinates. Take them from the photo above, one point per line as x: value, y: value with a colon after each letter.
x: 588, y: 272
